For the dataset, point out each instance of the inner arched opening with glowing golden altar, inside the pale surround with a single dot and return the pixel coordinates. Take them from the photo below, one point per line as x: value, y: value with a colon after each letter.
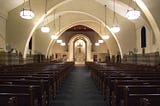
x: 79, y: 51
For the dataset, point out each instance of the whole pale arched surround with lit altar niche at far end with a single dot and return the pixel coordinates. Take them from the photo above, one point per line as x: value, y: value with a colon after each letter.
x: 79, y: 48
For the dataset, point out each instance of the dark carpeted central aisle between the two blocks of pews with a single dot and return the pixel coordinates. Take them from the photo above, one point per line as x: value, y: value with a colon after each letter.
x: 79, y: 90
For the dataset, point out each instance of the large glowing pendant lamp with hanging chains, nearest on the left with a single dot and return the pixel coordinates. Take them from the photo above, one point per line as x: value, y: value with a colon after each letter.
x: 27, y: 13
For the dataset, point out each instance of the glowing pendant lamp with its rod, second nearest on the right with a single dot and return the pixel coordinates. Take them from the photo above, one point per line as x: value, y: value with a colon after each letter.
x: 115, y: 27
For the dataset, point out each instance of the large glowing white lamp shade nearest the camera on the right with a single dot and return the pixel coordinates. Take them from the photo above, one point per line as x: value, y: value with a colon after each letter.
x: 133, y: 14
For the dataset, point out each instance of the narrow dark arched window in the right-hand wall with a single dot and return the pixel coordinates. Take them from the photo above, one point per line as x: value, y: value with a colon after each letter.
x: 143, y: 37
